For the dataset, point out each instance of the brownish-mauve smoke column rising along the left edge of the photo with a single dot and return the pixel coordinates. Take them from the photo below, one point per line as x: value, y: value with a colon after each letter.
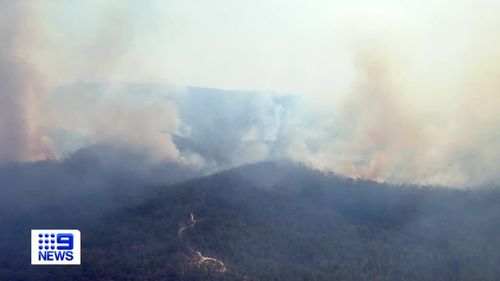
x: 21, y: 87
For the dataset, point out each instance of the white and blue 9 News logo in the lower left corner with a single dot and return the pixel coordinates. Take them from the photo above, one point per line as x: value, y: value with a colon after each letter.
x: 55, y: 246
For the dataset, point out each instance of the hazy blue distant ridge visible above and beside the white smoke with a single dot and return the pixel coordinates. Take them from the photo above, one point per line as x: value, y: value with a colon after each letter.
x: 220, y: 126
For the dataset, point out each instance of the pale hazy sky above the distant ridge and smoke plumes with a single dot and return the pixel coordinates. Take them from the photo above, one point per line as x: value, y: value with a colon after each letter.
x: 297, y: 46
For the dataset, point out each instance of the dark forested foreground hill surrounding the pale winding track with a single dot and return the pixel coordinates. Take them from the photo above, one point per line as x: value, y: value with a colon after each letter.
x: 275, y: 221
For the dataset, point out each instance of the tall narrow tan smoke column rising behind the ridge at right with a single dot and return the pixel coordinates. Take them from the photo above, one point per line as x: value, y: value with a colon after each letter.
x: 382, y: 129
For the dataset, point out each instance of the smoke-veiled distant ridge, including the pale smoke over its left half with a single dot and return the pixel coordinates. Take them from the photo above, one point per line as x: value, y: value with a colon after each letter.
x: 206, y: 128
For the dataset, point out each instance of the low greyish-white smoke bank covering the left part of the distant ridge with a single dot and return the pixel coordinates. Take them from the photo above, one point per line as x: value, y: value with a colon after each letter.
x: 79, y: 118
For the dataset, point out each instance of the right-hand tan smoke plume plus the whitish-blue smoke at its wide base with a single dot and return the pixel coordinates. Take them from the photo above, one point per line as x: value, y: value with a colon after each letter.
x: 374, y: 133
